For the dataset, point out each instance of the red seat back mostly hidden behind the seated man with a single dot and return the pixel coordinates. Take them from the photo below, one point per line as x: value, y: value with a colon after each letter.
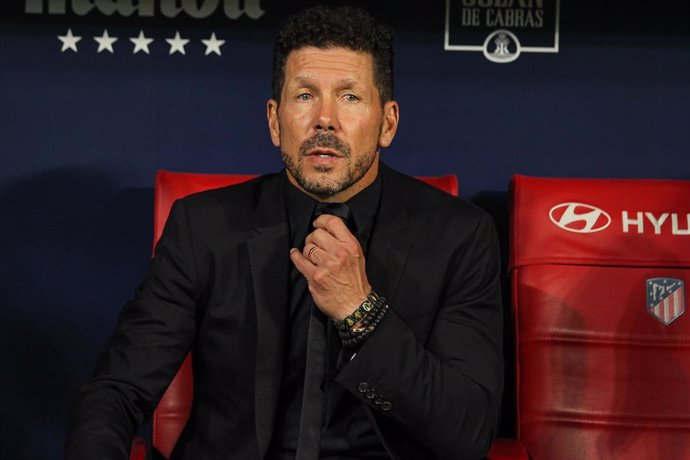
x: 172, y: 412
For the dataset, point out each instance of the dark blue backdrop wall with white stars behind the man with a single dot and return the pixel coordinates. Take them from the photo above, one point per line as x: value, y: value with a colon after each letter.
x: 83, y: 132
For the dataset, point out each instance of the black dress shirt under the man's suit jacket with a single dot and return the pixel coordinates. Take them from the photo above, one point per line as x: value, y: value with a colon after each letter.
x: 346, y: 430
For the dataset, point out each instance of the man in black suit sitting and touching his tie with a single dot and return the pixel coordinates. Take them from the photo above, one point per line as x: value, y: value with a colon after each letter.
x: 373, y: 337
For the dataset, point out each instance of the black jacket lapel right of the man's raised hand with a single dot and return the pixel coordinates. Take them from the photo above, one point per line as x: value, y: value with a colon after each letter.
x: 390, y: 242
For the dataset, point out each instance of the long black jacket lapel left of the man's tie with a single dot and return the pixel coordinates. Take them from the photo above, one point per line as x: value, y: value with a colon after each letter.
x: 268, y: 257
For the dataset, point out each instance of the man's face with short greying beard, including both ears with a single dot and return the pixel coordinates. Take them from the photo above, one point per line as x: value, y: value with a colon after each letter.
x: 330, y: 124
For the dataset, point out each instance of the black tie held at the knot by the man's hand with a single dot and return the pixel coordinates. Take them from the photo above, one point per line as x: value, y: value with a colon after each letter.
x: 312, y: 399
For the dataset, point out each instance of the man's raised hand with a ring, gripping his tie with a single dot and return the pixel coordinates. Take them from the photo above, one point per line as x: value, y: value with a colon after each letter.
x: 333, y: 264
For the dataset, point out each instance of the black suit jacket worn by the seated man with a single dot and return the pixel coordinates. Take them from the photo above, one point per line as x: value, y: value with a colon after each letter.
x: 218, y: 286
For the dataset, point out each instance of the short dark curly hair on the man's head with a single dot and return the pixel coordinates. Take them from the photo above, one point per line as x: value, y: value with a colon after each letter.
x: 336, y: 27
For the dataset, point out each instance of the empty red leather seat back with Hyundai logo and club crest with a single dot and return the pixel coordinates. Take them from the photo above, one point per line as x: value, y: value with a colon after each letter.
x: 599, y: 274
